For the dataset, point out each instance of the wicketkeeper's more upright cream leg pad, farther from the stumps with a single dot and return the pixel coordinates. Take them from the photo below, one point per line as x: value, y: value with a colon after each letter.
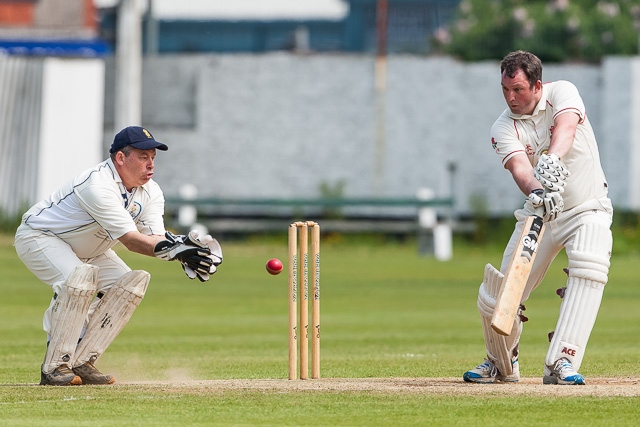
x: 68, y: 315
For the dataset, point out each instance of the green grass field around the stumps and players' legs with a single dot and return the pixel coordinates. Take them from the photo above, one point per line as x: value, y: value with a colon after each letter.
x: 386, y: 313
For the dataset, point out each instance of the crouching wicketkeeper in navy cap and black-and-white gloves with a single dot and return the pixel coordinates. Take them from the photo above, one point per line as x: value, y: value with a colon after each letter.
x: 66, y: 241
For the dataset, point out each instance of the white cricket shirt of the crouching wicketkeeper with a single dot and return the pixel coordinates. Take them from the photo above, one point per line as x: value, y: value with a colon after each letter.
x: 94, y: 209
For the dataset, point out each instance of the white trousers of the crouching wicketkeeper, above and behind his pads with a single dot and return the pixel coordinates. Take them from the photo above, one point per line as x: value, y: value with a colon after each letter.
x: 52, y: 260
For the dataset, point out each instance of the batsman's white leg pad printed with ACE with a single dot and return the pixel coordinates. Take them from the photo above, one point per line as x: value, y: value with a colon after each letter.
x: 588, y: 274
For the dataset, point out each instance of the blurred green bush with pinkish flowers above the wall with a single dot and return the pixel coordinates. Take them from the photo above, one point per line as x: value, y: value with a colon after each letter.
x: 556, y: 31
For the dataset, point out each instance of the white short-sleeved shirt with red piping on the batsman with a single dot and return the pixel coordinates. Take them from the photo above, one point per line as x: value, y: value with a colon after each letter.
x: 514, y: 134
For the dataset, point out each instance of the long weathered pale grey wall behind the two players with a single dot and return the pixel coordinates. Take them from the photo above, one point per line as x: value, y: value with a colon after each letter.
x: 252, y: 119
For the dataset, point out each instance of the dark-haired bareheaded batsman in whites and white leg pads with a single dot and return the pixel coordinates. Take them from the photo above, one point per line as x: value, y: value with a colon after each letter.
x: 546, y: 142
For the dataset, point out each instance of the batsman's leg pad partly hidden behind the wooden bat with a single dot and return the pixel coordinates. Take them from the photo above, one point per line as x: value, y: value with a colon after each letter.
x: 499, y: 347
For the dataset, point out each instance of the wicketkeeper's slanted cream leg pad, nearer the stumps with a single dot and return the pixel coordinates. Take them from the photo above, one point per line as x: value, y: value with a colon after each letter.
x: 111, y: 315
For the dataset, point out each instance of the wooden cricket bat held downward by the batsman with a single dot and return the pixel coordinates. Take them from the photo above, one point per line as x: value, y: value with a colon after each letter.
x: 516, y: 276
